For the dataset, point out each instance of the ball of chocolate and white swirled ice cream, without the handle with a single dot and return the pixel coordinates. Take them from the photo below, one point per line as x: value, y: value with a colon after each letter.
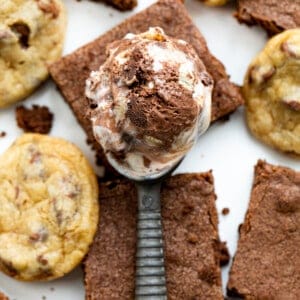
x: 149, y: 102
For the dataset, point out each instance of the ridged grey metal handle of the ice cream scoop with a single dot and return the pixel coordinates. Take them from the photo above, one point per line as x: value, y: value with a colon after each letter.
x: 150, y: 279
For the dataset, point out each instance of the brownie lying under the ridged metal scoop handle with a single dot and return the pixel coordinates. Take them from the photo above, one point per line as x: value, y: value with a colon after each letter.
x: 192, y: 245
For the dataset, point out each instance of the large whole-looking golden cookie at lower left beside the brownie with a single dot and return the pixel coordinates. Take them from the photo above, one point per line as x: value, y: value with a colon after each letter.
x: 48, y: 207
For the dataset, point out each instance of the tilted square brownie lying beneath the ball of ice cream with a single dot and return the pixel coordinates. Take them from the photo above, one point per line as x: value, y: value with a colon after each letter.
x: 71, y: 71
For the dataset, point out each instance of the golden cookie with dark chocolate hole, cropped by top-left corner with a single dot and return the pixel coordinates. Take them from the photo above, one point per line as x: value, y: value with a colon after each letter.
x: 31, y: 36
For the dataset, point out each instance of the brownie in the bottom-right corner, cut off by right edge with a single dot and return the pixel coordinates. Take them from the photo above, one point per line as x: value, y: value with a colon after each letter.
x: 267, y: 262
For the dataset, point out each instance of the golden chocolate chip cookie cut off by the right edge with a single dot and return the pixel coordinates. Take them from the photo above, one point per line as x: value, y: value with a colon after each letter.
x: 272, y: 92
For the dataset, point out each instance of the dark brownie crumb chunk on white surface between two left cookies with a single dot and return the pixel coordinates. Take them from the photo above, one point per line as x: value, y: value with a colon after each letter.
x: 37, y: 119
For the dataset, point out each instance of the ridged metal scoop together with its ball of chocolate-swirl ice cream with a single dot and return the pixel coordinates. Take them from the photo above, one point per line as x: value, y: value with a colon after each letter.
x: 149, y: 102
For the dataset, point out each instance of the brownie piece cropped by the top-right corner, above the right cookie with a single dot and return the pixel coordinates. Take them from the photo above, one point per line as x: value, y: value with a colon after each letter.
x: 273, y: 15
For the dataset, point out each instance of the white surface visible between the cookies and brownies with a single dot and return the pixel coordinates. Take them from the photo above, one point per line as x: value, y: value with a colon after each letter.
x: 227, y: 148
